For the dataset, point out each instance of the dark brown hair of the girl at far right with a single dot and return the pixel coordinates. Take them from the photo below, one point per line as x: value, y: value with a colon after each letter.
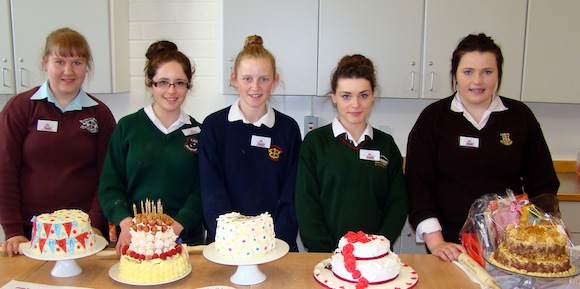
x: 475, y: 43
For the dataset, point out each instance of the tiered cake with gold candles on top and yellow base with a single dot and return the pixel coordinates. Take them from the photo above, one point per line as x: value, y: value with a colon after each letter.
x: 153, y: 255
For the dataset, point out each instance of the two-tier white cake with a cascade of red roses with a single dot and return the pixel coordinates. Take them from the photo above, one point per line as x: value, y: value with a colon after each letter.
x: 365, y: 257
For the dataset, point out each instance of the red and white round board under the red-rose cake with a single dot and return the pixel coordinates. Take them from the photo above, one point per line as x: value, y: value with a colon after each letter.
x: 407, y: 279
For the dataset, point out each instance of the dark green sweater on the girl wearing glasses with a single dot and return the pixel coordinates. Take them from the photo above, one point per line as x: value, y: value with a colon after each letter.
x: 142, y: 162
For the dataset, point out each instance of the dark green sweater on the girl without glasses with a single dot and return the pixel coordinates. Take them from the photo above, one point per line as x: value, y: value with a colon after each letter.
x: 338, y: 189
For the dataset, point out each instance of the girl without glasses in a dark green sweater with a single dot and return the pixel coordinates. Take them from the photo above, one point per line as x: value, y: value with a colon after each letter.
x: 350, y: 175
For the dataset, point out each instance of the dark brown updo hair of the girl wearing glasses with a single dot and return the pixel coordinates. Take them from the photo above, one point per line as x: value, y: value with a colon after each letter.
x: 164, y: 51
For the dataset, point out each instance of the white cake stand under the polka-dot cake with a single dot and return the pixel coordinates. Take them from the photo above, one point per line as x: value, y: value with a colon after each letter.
x: 248, y: 272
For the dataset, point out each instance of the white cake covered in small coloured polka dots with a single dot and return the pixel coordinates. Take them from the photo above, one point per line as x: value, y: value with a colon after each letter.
x: 244, y: 236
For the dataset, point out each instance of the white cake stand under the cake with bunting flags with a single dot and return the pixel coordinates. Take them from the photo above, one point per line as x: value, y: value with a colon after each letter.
x: 66, y: 266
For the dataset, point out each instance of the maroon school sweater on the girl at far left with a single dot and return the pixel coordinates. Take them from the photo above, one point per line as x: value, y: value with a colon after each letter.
x: 50, y: 160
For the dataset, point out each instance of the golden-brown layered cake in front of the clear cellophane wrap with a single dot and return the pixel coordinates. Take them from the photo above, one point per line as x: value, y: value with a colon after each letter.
x: 537, y: 250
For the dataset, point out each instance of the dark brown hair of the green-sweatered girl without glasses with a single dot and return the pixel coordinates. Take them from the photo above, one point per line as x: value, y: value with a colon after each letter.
x: 354, y: 66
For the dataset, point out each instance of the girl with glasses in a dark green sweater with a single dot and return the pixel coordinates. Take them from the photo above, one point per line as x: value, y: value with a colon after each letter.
x: 153, y: 152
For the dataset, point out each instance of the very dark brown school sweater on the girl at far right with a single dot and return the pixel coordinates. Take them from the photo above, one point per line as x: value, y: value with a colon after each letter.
x: 450, y: 163
